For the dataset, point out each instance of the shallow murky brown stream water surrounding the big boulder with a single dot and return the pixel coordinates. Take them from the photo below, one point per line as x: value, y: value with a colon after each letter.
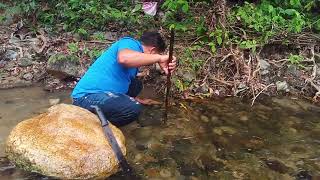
x: 277, y: 138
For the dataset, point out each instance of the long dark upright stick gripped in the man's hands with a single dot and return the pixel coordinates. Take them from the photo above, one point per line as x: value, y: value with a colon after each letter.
x: 169, y: 76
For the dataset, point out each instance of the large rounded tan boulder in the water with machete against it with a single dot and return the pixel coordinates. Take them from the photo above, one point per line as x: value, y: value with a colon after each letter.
x: 67, y: 142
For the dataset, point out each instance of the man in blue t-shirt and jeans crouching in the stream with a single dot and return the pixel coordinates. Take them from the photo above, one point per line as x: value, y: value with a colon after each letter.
x: 110, y: 81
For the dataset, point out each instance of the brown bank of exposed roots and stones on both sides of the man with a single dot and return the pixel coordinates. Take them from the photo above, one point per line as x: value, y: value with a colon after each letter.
x: 59, y: 60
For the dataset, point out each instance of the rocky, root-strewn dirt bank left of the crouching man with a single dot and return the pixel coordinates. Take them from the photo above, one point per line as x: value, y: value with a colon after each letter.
x: 54, y: 60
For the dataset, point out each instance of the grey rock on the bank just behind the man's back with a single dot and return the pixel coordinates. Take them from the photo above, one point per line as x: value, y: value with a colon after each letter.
x: 62, y: 66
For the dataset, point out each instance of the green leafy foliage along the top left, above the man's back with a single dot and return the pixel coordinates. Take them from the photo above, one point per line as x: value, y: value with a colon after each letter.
x: 78, y: 15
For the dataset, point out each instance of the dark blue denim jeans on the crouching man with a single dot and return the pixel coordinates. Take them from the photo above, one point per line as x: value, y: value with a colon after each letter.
x: 119, y: 109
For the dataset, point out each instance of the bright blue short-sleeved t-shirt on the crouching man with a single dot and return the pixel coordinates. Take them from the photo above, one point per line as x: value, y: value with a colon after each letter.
x: 106, y: 74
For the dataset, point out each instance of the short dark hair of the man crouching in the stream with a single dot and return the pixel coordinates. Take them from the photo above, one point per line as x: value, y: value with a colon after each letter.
x: 153, y: 39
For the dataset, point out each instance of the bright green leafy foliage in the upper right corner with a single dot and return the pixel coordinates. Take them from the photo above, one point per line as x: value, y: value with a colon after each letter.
x: 267, y: 19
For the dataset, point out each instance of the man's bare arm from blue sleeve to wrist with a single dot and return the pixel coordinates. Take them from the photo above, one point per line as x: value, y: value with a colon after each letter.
x: 131, y: 58
